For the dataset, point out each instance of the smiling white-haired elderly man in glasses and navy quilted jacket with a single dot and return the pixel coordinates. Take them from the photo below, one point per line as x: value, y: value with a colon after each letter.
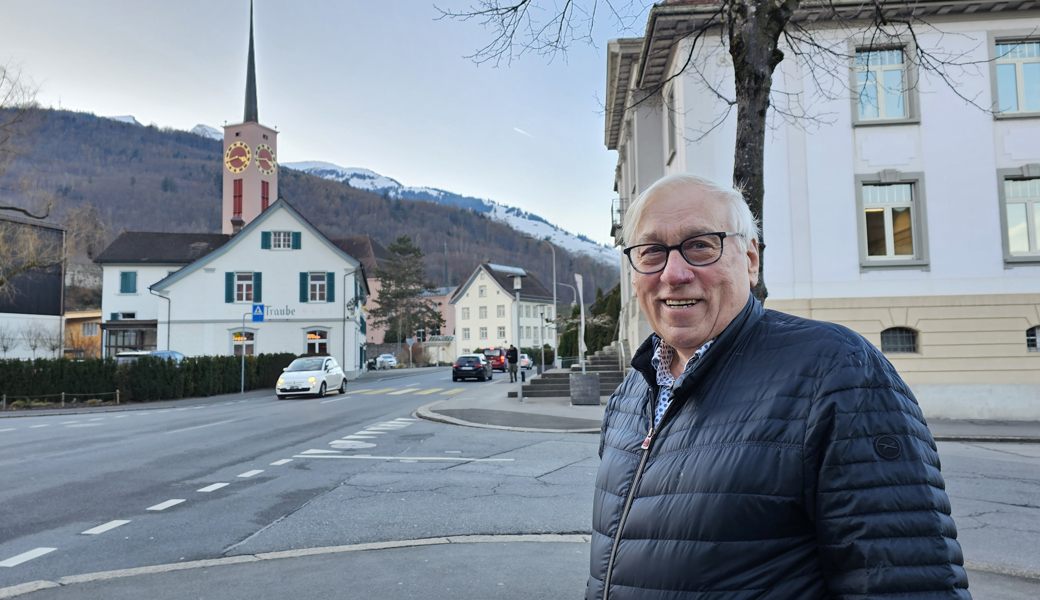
x: 751, y: 454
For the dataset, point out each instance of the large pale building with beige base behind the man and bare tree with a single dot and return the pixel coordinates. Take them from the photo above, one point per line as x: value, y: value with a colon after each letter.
x: 904, y: 214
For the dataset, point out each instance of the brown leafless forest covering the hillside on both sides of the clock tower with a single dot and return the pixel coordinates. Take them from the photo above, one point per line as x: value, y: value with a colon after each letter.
x: 152, y: 179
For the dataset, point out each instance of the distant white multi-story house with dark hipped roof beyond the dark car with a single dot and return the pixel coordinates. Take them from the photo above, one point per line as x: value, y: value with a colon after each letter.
x: 486, y: 310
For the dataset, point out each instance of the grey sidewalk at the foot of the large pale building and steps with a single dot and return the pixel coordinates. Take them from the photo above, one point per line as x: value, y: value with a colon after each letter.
x: 487, y: 406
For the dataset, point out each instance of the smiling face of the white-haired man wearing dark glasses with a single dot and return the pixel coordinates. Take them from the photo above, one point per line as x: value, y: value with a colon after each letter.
x: 688, y: 306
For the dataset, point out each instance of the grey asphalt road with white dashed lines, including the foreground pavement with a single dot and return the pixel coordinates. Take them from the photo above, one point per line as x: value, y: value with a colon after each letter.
x: 261, y: 476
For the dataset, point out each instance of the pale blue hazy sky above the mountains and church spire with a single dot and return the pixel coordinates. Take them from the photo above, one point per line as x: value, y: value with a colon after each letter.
x: 375, y: 85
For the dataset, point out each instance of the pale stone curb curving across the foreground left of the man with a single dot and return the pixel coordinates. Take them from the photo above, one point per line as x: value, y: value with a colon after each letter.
x: 31, y: 587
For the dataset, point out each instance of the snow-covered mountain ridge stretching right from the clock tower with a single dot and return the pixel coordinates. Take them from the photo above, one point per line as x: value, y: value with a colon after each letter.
x: 519, y: 220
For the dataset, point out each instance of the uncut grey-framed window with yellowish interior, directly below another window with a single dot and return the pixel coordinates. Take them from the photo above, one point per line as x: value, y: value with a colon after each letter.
x: 889, y: 215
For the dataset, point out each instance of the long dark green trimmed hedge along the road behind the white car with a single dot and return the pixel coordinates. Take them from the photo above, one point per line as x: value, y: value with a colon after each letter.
x: 143, y: 380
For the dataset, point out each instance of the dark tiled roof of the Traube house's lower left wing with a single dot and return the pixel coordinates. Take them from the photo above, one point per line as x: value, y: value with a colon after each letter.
x: 153, y: 248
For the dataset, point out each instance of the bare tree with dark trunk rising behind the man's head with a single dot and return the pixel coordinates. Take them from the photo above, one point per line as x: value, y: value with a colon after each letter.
x: 757, y: 35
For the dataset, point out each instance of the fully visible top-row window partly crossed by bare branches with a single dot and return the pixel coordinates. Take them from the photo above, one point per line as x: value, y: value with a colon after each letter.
x: 881, y: 84
